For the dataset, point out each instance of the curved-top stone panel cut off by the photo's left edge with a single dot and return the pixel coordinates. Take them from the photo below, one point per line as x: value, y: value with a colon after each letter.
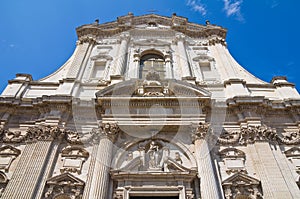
x: 7, y: 156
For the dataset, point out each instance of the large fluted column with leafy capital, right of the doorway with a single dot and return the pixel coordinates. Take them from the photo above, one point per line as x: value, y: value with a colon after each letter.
x: 209, y: 186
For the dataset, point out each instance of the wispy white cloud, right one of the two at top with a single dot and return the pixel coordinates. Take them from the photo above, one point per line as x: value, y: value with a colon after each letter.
x: 233, y: 8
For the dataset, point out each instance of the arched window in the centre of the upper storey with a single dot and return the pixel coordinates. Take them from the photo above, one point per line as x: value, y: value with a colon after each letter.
x: 152, y: 62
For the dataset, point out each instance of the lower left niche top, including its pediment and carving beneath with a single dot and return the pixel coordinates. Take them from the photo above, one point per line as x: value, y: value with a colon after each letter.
x: 64, y: 186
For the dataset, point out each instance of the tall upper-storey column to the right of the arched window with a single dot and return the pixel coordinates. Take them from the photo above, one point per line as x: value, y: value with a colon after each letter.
x: 185, y: 69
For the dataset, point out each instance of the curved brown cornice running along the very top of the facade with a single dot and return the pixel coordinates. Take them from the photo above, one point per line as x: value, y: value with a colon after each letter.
x: 128, y: 22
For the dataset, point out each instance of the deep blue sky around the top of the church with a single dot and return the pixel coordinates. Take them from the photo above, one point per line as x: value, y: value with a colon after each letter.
x: 37, y: 37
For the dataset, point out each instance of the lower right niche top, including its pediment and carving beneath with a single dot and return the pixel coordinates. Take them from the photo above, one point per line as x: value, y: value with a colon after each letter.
x: 241, y: 185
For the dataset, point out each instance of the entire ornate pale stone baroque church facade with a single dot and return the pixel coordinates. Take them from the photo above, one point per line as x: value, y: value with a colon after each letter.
x: 149, y: 107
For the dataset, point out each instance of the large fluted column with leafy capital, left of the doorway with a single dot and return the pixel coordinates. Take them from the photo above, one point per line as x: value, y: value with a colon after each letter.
x: 101, y: 178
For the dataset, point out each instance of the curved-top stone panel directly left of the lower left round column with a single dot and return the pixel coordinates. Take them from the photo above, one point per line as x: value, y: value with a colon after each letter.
x: 73, y: 158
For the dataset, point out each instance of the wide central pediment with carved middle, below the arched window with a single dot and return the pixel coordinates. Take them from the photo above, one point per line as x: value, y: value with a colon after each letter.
x: 144, y: 88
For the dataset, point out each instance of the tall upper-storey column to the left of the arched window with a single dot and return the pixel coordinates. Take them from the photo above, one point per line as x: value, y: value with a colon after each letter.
x: 121, y: 57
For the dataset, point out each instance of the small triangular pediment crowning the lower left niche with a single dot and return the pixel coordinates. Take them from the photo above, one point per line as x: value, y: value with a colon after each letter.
x: 65, y: 178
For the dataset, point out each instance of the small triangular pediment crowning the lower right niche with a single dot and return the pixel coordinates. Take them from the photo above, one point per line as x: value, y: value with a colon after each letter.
x: 241, y: 179
